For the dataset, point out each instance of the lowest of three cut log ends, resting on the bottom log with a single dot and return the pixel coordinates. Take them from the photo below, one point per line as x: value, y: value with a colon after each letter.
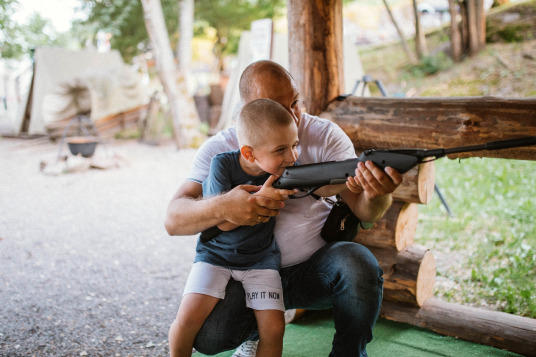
x: 409, y: 275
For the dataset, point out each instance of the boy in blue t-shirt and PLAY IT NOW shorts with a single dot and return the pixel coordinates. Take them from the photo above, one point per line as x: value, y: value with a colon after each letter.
x: 268, y: 139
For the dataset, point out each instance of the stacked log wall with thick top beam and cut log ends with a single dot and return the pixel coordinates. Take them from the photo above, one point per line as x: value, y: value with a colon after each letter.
x: 409, y: 270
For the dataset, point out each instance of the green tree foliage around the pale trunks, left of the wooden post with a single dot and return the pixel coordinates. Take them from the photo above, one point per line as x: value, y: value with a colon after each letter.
x: 124, y: 20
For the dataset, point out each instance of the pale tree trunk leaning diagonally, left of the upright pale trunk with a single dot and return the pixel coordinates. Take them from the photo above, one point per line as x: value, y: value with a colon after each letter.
x: 182, y: 108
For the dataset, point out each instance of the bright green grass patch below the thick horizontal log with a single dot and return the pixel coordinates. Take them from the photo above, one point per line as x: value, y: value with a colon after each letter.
x: 492, y: 236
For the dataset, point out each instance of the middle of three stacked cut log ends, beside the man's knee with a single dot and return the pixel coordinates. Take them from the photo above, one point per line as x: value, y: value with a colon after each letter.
x: 395, y: 230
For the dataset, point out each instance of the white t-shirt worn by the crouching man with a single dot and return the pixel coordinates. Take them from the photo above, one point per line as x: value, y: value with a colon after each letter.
x: 298, y: 225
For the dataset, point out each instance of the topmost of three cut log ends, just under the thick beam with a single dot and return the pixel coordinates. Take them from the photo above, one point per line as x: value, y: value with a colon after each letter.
x: 418, y: 184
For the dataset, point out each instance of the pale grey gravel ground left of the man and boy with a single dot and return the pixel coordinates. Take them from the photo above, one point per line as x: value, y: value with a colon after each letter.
x: 86, y: 266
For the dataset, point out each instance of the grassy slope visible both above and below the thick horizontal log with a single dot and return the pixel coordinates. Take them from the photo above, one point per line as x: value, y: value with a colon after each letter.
x: 485, y: 252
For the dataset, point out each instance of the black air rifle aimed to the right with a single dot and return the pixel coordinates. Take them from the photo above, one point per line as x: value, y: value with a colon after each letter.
x: 310, y: 177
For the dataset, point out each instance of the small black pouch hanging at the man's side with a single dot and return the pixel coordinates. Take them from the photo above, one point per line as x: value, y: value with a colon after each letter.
x: 341, y: 224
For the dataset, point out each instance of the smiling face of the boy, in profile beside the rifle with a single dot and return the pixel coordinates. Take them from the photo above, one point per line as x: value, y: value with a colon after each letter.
x: 279, y: 150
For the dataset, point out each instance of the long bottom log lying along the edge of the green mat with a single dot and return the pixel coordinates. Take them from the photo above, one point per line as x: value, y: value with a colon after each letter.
x: 497, y: 329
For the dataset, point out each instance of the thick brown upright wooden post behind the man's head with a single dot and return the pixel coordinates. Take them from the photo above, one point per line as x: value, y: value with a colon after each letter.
x: 316, y: 51
